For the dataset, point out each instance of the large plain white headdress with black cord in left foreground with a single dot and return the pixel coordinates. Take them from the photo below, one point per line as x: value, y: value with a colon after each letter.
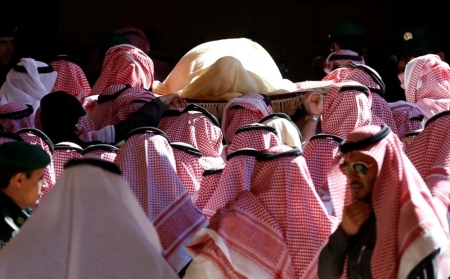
x: 88, y: 190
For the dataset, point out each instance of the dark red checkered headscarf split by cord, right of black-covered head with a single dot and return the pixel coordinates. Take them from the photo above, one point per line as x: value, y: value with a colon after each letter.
x: 100, y: 115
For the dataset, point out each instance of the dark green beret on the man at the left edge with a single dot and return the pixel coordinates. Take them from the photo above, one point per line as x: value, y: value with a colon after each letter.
x: 22, y: 155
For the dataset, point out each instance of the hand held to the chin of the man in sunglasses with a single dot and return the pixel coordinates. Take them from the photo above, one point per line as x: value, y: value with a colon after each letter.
x: 354, y: 216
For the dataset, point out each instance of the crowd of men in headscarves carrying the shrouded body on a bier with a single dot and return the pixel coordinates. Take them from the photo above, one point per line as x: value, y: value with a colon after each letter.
x: 208, y: 174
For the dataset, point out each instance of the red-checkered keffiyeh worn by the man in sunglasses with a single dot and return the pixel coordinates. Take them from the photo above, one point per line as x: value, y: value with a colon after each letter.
x: 408, y: 226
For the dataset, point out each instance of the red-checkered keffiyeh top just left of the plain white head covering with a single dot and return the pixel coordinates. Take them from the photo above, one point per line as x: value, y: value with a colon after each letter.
x: 255, y: 136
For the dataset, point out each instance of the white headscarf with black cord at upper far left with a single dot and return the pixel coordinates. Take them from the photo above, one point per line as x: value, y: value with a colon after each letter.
x: 27, y: 82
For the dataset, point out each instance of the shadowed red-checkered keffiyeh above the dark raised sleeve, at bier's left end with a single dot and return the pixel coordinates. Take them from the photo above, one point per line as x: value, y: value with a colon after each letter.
x: 128, y: 102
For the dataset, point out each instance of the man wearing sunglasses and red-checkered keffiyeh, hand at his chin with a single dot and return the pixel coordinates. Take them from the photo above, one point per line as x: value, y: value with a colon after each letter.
x: 389, y: 226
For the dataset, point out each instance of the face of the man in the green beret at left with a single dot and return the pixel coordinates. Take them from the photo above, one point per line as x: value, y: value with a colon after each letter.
x: 32, y: 187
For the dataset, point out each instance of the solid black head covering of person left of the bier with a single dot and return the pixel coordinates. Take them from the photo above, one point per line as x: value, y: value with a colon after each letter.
x: 60, y: 113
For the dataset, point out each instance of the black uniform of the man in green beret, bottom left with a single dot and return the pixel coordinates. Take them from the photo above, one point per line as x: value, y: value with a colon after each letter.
x: 12, y: 218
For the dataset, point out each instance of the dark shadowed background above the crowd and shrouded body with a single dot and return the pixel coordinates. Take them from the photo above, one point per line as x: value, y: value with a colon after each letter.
x: 296, y: 31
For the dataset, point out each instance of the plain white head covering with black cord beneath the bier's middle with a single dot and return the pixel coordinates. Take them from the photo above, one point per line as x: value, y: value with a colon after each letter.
x: 287, y: 132
